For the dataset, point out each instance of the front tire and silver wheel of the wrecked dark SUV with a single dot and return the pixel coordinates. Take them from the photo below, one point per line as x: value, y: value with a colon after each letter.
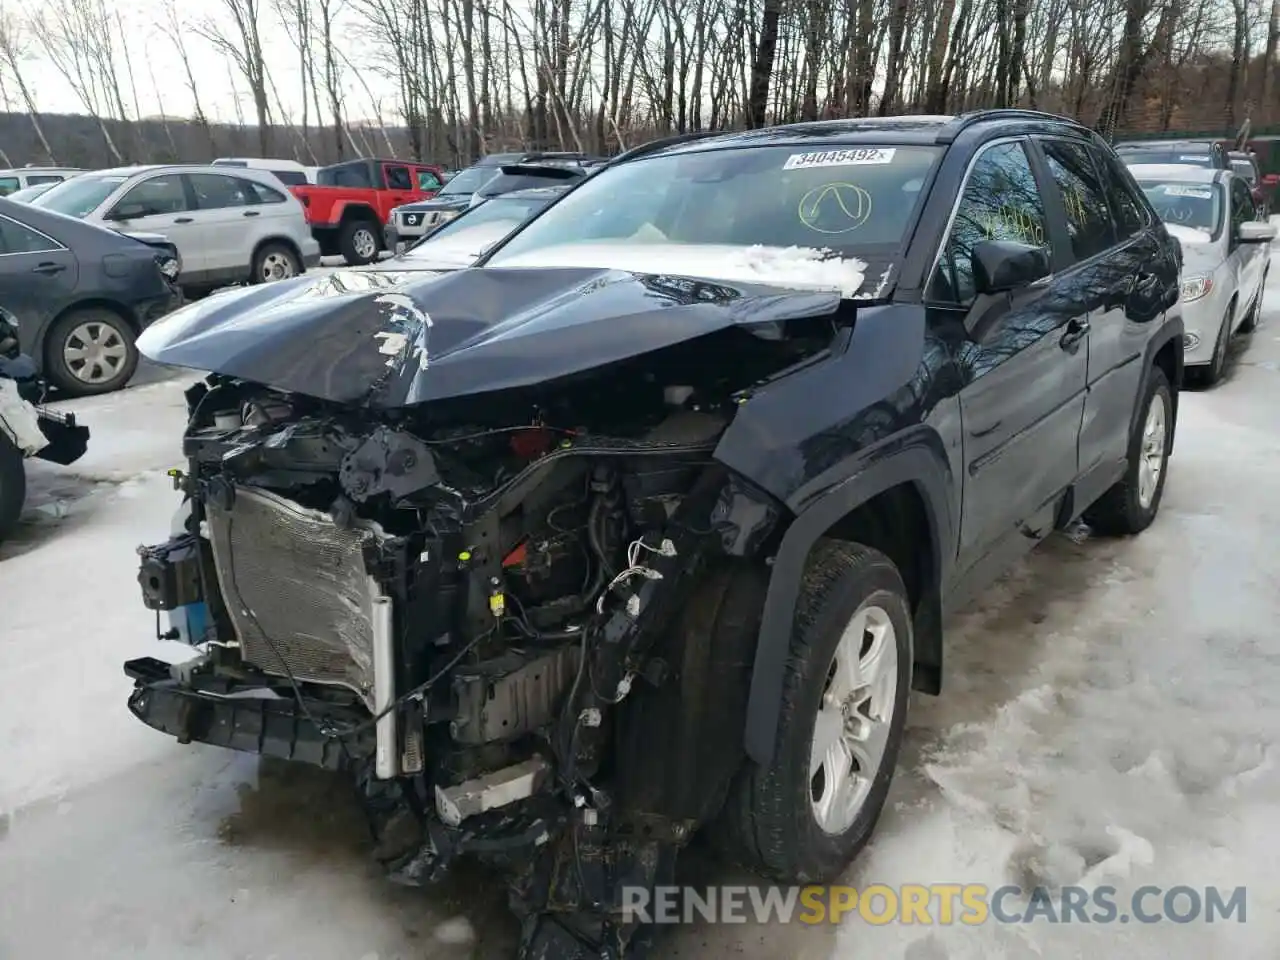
x: 806, y: 817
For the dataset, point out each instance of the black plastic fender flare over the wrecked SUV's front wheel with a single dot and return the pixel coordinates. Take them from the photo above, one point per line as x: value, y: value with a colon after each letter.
x: 921, y: 464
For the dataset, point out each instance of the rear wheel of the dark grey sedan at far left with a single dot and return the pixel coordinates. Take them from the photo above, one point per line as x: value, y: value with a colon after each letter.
x: 90, y: 353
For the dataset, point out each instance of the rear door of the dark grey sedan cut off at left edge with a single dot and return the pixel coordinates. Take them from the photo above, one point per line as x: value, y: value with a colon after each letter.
x: 38, y: 278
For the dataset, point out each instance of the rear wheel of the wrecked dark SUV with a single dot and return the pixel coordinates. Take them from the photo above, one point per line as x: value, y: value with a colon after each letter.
x: 1131, y: 506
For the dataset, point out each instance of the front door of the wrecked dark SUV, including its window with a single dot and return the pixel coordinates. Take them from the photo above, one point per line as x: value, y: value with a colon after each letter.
x: 1023, y: 363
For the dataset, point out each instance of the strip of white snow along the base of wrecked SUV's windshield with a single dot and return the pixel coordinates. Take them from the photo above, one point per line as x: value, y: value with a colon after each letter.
x: 803, y: 268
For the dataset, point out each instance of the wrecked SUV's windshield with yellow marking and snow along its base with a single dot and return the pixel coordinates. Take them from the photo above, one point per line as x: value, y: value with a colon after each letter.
x: 738, y: 214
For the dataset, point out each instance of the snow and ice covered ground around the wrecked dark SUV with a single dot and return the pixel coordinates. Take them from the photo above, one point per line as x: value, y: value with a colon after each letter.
x: 1110, y: 717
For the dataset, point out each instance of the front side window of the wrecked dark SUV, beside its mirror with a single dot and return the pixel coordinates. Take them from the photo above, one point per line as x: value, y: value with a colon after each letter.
x: 1002, y: 202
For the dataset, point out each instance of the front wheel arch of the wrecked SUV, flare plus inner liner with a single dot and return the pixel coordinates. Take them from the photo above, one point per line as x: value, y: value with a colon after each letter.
x: 898, y: 504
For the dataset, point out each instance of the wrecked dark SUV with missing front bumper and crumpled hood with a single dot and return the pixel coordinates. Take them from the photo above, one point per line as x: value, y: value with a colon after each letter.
x: 650, y: 523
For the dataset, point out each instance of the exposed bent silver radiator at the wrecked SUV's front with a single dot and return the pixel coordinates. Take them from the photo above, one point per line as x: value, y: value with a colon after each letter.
x: 296, y: 589
